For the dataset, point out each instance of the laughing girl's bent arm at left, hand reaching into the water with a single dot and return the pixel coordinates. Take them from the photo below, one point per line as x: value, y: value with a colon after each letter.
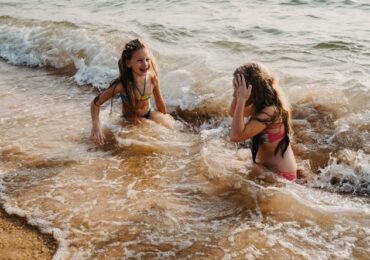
x: 96, y: 132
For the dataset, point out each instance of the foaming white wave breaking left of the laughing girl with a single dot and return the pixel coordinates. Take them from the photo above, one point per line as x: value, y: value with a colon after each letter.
x: 90, y: 57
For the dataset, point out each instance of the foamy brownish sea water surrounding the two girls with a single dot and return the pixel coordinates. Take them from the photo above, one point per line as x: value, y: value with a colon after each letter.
x: 155, y: 193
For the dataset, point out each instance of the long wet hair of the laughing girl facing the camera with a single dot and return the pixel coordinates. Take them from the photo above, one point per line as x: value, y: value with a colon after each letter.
x: 126, y: 77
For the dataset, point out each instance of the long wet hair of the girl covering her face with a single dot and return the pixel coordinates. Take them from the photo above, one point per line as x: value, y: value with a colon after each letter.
x: 265, y: 93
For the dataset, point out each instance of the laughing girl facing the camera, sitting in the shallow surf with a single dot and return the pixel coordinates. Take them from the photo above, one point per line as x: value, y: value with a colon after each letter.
x: 137, y: 82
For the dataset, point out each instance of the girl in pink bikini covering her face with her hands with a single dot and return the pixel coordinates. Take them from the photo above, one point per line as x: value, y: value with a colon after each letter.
x: 257, y: 95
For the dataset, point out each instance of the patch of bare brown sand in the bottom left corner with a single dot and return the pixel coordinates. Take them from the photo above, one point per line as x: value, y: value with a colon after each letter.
x: 19, y: 240
